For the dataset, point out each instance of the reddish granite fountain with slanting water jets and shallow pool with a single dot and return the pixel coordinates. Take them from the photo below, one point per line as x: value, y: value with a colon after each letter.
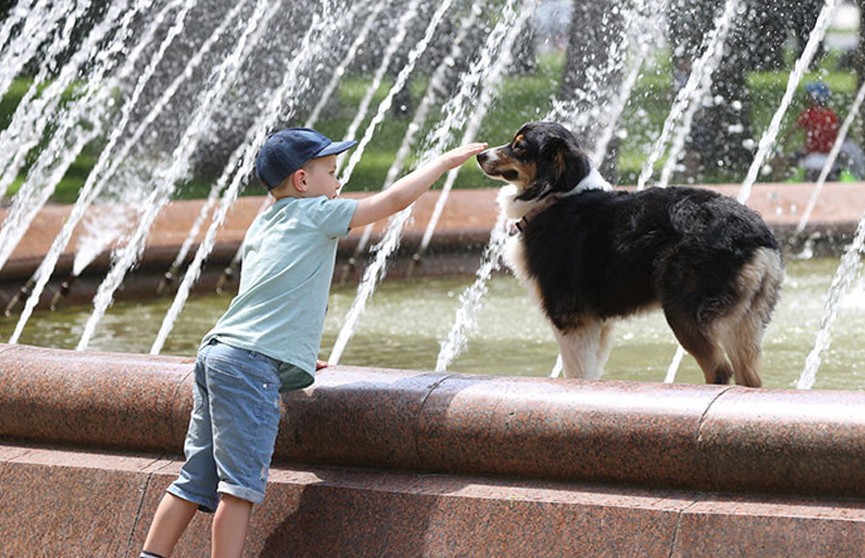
x: 415, y: 461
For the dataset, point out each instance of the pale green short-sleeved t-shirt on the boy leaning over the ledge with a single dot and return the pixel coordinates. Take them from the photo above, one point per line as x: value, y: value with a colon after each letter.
x: 288, y: 259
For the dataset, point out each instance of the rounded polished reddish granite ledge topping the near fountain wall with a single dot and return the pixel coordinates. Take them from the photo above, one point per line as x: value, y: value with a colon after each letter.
x: 680, y: 436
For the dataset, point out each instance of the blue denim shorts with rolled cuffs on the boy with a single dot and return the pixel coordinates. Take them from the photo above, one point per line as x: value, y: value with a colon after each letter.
x: 232, y: 432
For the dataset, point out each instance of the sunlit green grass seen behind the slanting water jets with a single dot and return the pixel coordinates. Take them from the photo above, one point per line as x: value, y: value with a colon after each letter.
x: 520, y: 99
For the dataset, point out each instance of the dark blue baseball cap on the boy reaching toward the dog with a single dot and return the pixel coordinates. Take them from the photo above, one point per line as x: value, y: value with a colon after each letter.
x: 286, y: 151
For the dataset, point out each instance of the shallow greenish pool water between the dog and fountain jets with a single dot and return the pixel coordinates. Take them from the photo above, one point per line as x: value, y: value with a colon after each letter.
x: 406, y: 320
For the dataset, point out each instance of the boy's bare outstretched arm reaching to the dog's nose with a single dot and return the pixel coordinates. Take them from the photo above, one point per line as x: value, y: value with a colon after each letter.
x: 409, y: 188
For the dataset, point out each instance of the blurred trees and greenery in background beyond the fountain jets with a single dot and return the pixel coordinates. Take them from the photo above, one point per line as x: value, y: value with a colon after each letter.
x: 567, y: 40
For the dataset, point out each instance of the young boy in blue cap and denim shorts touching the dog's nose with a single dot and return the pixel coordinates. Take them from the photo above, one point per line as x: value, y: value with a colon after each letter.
x: 267, y: 341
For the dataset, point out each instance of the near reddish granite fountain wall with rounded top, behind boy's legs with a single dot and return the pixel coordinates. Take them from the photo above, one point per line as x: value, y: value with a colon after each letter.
x: 408, y: 463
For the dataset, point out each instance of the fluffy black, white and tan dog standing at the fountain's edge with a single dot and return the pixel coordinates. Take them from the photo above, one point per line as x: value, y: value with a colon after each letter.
x: 589, y: 255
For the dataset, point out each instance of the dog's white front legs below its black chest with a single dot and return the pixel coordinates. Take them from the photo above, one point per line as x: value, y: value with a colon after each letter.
x: 582, y: 347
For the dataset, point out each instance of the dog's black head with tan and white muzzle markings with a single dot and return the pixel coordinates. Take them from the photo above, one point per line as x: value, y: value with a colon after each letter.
x: 543, y: 158
